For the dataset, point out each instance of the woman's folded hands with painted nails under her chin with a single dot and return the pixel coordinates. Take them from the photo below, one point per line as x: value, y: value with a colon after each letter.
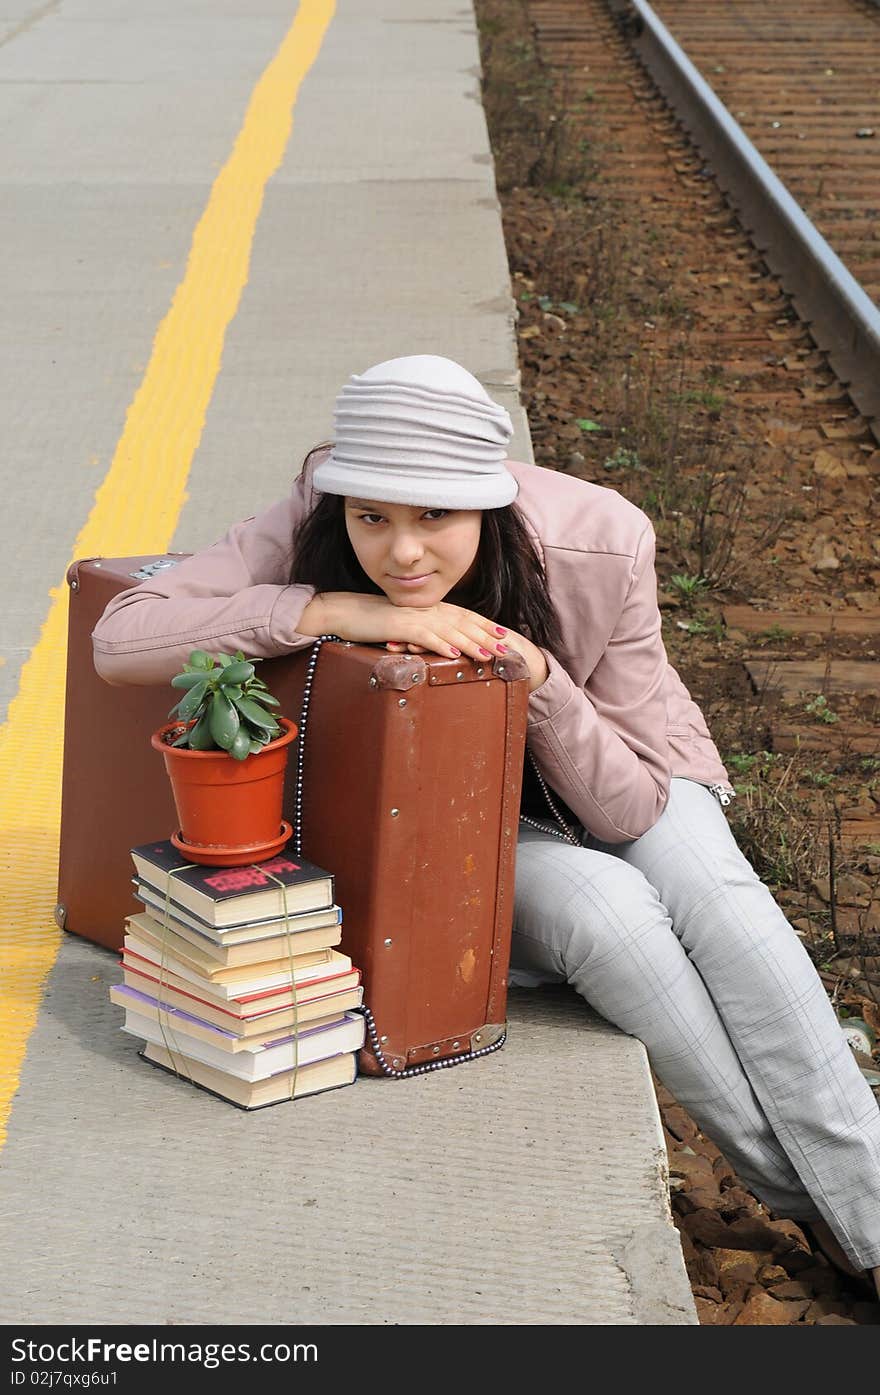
x: 446, y: 630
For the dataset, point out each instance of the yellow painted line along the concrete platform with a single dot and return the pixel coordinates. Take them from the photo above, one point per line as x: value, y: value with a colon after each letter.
x: 136, y: 511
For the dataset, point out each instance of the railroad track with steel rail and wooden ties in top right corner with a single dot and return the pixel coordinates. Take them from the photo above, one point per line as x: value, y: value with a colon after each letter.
x: 783, y: 103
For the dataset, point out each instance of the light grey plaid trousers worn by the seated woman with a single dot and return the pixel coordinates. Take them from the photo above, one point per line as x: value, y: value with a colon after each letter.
x: 674, y: 940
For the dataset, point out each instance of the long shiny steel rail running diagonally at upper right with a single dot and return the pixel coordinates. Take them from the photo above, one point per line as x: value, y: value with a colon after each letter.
x: 840, y: 316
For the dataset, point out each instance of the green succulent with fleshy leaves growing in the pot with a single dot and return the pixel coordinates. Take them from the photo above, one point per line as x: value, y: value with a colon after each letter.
x: 225, y: 707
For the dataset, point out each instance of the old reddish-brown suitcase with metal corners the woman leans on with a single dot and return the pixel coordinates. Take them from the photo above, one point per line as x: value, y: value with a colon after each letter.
x: 411, y: 774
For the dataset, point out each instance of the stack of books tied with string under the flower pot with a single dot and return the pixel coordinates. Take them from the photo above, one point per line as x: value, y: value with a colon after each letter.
x: 234, y: 980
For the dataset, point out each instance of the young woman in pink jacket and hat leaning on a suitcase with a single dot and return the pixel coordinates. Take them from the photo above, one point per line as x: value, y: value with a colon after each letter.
x: 415, y: 531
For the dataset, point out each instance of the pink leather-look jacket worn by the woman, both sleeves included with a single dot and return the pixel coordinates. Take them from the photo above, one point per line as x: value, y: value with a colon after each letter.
x: 609, y: 729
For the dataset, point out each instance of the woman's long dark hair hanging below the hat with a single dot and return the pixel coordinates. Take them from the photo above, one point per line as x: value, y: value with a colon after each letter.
x: 510, y: 582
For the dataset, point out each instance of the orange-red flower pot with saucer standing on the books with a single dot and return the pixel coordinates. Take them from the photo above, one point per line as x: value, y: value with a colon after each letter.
x: 229, y: 811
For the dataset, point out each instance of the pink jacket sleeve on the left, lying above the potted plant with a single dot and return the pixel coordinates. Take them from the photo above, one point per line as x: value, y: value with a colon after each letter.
x: 227, y: 598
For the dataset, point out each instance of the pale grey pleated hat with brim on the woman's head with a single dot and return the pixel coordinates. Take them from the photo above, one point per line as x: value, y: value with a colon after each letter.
x: 419, y: 430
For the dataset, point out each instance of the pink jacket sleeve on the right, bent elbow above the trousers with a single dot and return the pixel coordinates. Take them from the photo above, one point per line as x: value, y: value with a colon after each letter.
x: 603, y: 747
